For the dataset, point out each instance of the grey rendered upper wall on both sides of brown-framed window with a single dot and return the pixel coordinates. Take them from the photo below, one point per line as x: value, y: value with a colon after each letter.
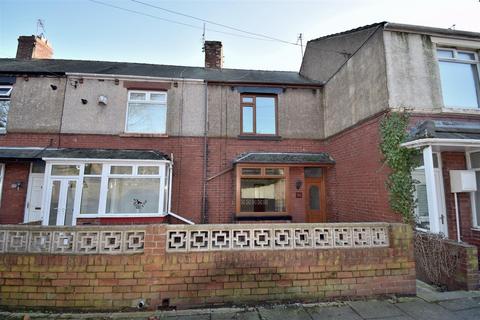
x: 300, y: 113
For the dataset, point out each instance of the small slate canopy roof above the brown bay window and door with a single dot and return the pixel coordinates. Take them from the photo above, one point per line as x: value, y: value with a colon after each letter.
x: 284, y: 158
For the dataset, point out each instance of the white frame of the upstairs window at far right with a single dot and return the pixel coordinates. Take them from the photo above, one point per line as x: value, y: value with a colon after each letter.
x: 455, y: 59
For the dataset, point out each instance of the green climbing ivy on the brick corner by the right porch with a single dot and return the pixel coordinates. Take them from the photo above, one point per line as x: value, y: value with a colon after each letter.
x: 401, y: 161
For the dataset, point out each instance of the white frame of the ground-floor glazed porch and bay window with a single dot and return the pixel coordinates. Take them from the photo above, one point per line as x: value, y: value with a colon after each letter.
x: 165, y: 182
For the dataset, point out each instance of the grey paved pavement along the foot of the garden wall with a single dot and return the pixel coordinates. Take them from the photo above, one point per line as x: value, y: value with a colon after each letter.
x: 427, y: 305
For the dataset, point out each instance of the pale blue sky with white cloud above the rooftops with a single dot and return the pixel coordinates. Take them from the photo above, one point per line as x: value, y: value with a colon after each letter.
x: 85, y: 30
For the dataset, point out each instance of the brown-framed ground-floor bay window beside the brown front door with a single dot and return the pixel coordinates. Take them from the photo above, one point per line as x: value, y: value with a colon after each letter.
x: 261, y: 190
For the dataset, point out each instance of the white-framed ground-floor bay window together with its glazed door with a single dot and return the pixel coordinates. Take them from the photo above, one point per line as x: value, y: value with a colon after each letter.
x: 107, y: 189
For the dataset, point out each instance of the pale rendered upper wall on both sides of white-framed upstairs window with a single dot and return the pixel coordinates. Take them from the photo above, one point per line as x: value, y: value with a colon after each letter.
x: 184, y: 111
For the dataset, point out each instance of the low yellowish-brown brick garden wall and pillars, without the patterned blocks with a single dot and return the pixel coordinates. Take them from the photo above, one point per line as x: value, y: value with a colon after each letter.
x: 206, y: 278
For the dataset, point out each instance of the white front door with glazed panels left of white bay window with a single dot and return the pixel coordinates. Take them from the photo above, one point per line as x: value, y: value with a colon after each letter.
x: 61, y: 197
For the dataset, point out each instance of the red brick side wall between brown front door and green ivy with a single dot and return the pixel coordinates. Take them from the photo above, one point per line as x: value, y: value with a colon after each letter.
x: 356, y: 184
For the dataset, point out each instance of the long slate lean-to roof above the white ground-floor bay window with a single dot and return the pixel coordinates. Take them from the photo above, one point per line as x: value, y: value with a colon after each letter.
x: 39, y: 153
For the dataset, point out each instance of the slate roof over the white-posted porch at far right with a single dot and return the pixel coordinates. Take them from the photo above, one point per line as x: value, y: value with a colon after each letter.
x: 445, y: 130
